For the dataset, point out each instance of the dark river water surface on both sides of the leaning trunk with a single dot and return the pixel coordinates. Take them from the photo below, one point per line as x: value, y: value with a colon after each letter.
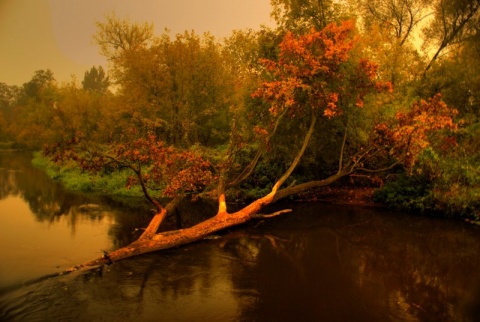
x: 319, y: 263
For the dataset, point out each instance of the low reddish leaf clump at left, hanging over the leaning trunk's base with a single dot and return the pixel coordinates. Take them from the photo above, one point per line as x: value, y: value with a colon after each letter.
x: 155, y: 165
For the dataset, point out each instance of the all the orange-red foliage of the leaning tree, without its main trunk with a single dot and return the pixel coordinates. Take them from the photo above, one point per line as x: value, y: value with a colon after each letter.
x: 316, y: 74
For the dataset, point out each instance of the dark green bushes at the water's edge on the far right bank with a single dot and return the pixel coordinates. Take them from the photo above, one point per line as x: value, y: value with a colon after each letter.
x: 439, y: 185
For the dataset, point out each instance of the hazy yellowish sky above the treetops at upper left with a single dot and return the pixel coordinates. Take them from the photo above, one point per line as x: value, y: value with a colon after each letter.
x: 57, y: 34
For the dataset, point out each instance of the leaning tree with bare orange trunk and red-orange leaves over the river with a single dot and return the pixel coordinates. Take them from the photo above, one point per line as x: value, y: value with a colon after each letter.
x: 314, y: 77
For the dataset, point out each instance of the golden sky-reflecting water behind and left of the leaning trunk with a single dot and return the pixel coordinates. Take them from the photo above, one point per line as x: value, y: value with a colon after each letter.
x: 44, y: 229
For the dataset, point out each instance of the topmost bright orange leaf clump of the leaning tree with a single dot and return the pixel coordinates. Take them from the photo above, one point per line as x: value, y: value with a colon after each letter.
x: 314, y: 72
